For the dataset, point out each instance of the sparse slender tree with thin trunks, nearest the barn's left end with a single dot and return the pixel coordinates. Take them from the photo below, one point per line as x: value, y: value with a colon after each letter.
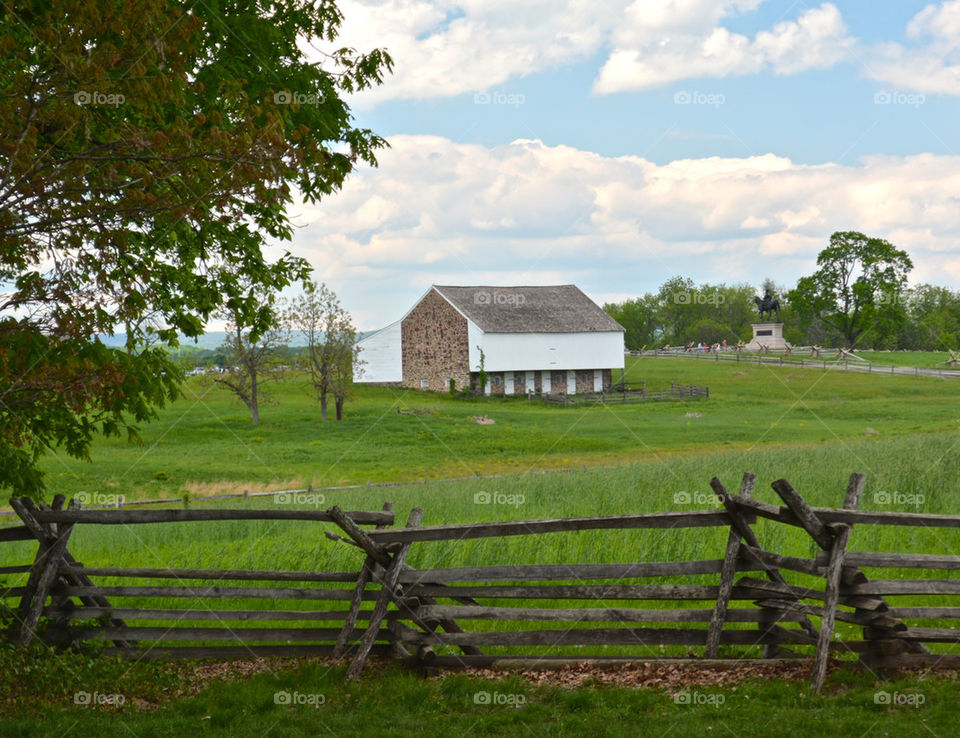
x: 331, y: 343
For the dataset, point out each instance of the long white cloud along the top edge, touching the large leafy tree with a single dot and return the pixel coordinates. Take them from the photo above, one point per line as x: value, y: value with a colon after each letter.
x: 444, y: 48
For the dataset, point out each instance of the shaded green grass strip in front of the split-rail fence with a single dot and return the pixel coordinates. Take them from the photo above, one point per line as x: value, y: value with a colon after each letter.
x: 391, y: 702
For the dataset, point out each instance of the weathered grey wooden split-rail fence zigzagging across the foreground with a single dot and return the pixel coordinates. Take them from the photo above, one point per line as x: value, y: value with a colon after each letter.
x: 530, y: 614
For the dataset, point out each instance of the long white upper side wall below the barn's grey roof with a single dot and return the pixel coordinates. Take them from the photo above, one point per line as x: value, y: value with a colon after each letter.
x: 544, y: 351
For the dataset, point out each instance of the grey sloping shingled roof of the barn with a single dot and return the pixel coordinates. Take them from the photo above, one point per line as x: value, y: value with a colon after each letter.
x: 557, y: 309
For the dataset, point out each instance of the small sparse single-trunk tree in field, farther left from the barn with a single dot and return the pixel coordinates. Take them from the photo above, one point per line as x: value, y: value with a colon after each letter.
x: 250, y: 358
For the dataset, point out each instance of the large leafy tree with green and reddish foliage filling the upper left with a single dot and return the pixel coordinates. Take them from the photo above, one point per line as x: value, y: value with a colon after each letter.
x: 144, y: 148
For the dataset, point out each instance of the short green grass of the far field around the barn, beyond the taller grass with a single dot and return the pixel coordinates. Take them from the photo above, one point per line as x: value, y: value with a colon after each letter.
x: 204, y: 443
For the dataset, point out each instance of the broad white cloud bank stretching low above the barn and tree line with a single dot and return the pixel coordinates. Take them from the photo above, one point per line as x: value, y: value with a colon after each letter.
x: 436, y: 211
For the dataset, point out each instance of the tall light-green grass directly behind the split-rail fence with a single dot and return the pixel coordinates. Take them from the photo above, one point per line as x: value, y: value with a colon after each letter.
x: 919, y: 468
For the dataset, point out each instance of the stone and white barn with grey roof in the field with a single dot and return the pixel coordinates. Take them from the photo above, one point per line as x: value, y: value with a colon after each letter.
x: 530, y: 339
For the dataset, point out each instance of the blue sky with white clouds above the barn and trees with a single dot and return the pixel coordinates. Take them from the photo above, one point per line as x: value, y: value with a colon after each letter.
x: 614, y: 144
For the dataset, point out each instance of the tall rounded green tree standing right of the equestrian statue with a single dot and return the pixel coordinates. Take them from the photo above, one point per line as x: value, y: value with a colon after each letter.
x: 857, y: 288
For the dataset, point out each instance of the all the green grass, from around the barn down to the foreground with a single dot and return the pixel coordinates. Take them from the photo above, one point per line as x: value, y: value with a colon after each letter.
x: 810, y: 426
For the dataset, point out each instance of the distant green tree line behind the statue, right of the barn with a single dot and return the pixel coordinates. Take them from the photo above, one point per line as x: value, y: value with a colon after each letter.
x: 857, y: 298
